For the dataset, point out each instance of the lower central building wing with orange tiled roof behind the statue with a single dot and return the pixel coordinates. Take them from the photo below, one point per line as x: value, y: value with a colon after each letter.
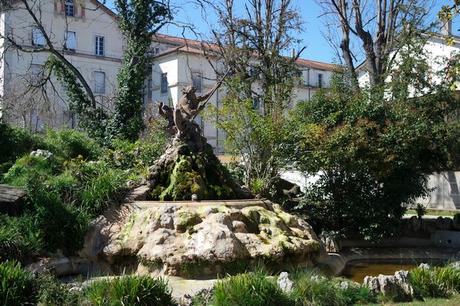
x: 181, y: 62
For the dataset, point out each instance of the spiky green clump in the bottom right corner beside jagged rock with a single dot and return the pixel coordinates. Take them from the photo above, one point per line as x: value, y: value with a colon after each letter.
x: 435, y: 282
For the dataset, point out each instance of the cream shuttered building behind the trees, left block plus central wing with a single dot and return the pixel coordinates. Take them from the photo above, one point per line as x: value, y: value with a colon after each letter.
x: 86, y: 32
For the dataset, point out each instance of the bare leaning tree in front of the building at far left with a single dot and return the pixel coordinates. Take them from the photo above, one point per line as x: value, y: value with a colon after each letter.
x: 31, y: 92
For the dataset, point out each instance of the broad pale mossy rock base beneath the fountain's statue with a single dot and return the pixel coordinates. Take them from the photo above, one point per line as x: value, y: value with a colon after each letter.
x: 192, y: 238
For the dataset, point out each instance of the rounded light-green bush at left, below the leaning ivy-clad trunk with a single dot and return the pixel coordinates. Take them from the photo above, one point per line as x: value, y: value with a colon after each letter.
x: 70, y: 144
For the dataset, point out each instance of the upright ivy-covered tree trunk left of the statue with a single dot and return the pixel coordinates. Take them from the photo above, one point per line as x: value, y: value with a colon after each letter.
x: 139, y: 20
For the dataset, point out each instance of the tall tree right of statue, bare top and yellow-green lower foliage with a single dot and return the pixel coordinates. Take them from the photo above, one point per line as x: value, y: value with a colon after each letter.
x: 253, y: 44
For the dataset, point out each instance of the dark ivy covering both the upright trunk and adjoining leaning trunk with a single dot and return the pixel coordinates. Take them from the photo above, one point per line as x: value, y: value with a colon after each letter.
x: 138, y: 20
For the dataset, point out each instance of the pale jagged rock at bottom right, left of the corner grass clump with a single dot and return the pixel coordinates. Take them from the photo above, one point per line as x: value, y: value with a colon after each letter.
x: 396, y: 287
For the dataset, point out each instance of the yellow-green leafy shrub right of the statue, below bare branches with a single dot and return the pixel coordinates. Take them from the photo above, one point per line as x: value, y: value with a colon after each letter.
x: 258, y: 139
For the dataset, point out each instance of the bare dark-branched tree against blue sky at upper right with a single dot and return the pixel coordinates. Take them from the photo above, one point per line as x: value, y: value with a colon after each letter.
x: 380, y: 27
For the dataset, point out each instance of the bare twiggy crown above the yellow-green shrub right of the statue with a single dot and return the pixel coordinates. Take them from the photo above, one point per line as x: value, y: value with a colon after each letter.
x: 258, y: 46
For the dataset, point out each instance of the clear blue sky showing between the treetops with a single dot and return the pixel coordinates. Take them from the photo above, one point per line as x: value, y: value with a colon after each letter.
x: 317, y: 47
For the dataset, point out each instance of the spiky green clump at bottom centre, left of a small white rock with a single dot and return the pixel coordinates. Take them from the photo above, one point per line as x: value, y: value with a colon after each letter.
x: 251, y: 289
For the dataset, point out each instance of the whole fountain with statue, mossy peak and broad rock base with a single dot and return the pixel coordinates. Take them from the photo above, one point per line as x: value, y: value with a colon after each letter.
x: 191, y: 218
